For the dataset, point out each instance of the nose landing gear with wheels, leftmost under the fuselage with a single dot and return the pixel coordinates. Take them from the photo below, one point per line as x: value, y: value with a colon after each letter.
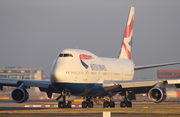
x: 64, y: 103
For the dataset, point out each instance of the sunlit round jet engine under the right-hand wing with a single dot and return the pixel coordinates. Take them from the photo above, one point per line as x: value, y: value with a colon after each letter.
x: 157, y: 95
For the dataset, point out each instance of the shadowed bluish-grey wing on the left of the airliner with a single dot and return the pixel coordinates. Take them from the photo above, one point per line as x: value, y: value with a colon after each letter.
x: 43, y: 85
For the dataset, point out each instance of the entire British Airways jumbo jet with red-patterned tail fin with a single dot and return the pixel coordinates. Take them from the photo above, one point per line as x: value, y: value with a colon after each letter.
x: 82, y: 73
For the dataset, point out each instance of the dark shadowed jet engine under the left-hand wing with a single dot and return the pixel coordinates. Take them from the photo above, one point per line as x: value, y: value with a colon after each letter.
x: 20, y: 95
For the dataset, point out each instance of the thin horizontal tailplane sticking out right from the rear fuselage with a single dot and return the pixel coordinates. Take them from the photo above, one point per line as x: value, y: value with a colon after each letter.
x: 154, y: 65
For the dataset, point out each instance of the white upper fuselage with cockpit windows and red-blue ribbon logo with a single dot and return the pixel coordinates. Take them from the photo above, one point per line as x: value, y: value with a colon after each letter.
x: 82, y: 67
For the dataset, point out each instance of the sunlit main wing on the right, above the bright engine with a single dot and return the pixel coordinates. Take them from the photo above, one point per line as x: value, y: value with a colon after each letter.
x: 137, y: 86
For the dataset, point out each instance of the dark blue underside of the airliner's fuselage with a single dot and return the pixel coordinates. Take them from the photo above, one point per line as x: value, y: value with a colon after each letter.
x: 81, y: 88
